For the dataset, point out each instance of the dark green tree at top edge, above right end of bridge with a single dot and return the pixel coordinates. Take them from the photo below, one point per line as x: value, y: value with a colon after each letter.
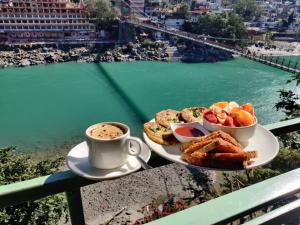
x: 248, y: 9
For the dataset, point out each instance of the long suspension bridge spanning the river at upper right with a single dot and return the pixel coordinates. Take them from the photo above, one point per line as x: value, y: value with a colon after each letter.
x: 212, y: 42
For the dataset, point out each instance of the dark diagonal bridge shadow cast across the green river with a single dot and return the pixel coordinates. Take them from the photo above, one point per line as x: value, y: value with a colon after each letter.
x: 123, y: 95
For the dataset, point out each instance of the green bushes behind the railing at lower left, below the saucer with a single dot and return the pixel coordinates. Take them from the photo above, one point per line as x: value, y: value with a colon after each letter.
x: 18, y: 167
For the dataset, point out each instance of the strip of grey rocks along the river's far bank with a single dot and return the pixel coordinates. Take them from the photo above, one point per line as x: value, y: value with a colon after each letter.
x: 140, y: 51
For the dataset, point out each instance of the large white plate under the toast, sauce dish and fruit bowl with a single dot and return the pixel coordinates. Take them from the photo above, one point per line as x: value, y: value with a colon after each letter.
x: 263, y: 141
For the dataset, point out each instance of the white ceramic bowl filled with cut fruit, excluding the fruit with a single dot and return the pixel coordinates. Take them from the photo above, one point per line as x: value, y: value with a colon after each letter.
x: 241, y: 134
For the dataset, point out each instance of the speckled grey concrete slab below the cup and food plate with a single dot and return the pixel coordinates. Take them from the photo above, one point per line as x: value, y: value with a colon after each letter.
x: 122, y: 198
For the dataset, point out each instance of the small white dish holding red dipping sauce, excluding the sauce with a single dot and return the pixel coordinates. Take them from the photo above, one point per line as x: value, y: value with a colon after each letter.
x: 184, y: 139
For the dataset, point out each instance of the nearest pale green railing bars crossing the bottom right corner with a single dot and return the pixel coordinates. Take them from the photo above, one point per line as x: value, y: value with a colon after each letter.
x: 227, y: 208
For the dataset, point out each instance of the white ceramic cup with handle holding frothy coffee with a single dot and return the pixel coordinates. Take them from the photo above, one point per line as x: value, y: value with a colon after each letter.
x: 112, y: 153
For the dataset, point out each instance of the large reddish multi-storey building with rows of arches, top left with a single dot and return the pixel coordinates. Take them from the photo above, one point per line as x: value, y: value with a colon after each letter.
x: 30, y: 21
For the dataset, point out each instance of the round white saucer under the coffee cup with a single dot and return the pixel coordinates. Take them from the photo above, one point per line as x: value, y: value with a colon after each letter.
x: 77, y: 161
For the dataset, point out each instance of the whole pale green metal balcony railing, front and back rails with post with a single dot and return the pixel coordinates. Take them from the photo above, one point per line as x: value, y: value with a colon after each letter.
x: 216, y: 211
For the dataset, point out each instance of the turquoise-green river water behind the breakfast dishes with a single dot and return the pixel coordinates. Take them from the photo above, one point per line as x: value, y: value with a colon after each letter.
x: 49, y: 107
